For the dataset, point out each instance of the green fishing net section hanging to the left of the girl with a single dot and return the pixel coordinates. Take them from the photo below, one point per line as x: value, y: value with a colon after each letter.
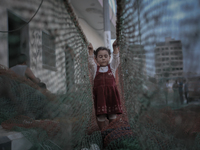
x: 56, y: 117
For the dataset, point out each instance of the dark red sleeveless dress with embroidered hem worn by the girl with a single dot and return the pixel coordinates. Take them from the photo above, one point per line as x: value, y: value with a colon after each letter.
x: 105, y: 92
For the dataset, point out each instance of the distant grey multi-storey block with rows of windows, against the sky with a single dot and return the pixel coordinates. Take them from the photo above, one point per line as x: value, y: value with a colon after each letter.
x: 168, y: 59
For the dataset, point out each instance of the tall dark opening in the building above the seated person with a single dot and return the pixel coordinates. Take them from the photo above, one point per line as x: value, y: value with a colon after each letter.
x: 18, y: 41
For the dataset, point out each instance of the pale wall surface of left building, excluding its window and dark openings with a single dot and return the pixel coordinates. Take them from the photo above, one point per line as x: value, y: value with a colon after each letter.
x: 53, y: 18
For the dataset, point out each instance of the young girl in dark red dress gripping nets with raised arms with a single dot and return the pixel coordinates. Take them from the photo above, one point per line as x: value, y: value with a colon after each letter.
x: 106, y: 96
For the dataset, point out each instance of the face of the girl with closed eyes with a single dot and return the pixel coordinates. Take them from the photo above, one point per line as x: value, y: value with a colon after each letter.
x: 103, y: 58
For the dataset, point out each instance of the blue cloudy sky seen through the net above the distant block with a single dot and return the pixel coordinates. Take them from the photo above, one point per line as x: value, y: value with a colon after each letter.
x: 180, y: 20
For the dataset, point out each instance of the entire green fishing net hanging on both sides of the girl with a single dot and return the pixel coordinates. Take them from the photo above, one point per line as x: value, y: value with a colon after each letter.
x: 62, y: 116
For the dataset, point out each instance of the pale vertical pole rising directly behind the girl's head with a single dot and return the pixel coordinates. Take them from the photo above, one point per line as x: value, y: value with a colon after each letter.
x: 107, y: 33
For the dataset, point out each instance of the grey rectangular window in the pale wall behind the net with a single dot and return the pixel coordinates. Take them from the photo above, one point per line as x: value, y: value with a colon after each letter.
x: 48, y: 52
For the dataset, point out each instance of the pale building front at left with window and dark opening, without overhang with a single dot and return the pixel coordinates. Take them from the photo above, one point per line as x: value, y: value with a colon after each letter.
x: 49, y: 40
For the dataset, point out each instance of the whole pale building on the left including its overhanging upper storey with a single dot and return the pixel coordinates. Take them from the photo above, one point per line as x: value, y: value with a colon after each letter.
x: 51, y: 36
